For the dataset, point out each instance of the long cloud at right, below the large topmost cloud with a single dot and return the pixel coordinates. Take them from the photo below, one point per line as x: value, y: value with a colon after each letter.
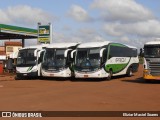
x: 148, y: 28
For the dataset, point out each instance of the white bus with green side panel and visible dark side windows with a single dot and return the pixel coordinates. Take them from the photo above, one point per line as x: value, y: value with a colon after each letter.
x: 104, y: 60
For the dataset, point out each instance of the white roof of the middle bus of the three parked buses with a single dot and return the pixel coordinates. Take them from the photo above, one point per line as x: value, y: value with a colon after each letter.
x: 62, y: 45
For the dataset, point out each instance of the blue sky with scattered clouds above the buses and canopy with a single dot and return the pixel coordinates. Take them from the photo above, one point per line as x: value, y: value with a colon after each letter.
x: 131, y: 22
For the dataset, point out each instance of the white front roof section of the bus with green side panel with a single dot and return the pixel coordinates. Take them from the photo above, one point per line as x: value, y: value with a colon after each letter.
x: 93, y: 44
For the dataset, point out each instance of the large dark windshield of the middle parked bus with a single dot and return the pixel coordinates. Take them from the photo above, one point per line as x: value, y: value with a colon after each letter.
x: 53, y: 59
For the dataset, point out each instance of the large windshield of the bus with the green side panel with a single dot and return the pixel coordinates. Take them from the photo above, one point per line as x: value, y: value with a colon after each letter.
x: 88, y: 58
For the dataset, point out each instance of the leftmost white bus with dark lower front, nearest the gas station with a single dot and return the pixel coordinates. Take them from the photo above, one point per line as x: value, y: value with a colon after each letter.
x: 29, y: 61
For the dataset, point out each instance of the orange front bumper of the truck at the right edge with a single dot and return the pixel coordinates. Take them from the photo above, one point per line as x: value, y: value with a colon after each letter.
x: 148, y: 76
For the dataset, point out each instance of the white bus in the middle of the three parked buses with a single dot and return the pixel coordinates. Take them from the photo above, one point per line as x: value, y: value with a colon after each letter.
x: 57, y: 61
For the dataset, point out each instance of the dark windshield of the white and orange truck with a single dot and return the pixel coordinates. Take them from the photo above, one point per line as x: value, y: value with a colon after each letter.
x: 152, y: 51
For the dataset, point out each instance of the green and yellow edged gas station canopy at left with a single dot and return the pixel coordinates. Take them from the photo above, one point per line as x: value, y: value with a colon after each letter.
x: 15, y: 32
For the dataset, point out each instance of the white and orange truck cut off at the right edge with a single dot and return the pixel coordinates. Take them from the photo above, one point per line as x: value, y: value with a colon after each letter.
x: 152, y: 61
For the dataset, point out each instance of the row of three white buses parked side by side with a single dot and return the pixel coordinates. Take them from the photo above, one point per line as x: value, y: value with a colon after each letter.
x: 85, y: 60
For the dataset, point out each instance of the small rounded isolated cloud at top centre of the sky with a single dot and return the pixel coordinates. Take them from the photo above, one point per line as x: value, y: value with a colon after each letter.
x: 79, y: 14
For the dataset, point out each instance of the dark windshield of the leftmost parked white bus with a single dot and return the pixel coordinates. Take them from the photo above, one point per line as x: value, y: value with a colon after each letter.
x: 26, y: 58
